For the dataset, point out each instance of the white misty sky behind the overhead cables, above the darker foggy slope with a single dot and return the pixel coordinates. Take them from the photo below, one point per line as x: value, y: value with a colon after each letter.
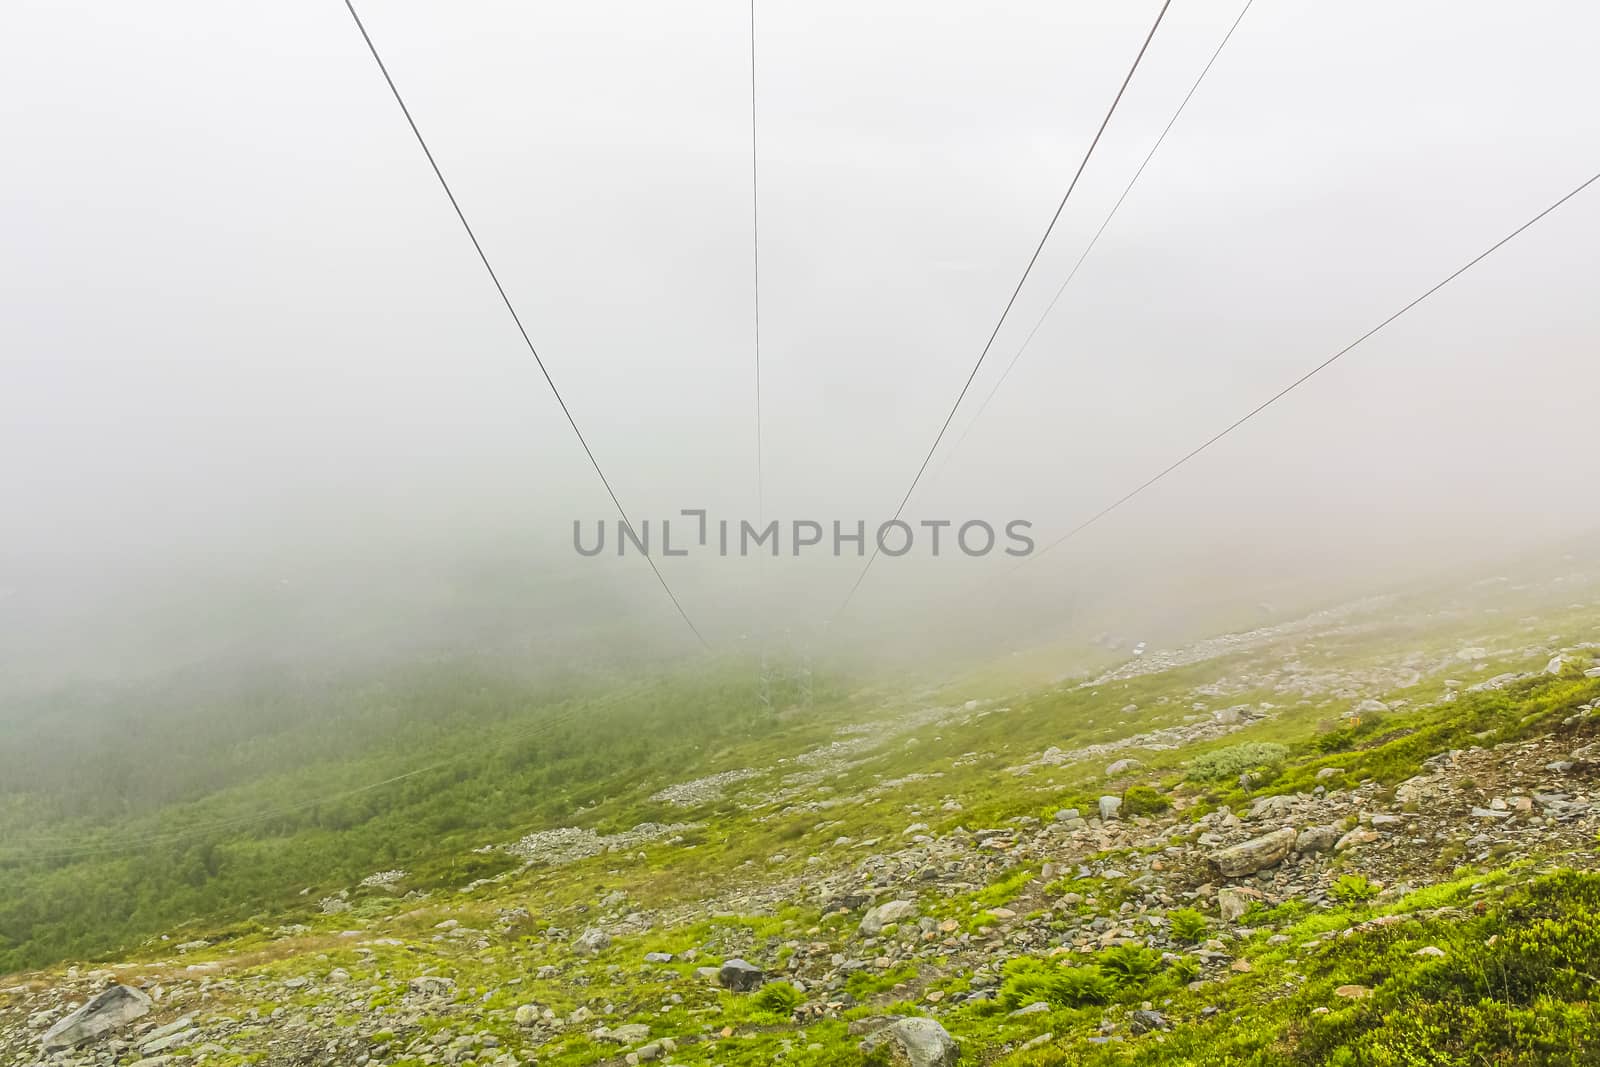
x: 238, y: 313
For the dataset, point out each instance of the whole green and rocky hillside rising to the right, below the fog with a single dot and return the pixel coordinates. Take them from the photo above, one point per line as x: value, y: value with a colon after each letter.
x: 1361, y: 837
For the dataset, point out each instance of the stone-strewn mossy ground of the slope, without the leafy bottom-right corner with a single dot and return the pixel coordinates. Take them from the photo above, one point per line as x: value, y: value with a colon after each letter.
x: 890, y: 893
